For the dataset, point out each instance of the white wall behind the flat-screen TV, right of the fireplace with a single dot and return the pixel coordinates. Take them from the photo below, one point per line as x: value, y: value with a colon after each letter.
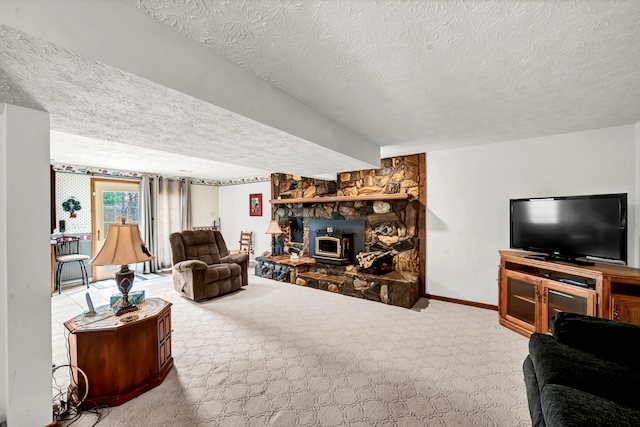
x: 468, y: 192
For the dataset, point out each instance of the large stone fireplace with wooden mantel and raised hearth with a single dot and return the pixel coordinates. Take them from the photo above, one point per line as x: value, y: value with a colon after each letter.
x: 388, y: 203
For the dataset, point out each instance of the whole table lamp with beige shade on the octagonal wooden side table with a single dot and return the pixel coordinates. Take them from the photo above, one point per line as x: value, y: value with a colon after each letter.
x: 123, y: 246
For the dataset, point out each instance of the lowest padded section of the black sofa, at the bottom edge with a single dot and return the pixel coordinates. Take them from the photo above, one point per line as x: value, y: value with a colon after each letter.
x: 568, y: 407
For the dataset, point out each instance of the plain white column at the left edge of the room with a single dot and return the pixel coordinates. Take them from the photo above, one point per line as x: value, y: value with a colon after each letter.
x: 25, y: 300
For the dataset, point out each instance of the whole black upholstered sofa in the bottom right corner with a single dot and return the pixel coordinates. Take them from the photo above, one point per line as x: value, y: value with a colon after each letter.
x: 586, y: 374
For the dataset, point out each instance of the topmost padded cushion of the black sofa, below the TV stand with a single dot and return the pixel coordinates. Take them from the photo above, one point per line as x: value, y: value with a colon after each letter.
x: 607, y: 339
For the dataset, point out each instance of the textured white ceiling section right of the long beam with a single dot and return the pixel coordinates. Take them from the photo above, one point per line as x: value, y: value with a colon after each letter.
x: 424, y: 75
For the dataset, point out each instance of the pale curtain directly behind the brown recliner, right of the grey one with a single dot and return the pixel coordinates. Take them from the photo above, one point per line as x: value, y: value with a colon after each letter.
x: 169, y: 218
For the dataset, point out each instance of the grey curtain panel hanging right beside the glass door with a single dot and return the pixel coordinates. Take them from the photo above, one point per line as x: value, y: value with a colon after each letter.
x: 148, y: 224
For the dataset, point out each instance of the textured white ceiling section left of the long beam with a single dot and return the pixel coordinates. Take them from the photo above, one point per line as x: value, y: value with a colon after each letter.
x: 101, y: 103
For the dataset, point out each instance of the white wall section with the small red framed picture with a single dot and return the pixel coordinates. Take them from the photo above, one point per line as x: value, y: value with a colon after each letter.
x: 233, y: 205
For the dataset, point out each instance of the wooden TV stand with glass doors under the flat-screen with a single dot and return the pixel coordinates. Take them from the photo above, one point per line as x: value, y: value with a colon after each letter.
x: 531, y: 291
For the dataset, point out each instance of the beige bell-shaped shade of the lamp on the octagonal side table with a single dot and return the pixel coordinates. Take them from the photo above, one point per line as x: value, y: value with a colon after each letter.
x: 123, y: 246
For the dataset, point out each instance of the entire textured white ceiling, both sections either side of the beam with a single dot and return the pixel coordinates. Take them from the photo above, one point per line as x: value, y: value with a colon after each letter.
x: 410, y: 75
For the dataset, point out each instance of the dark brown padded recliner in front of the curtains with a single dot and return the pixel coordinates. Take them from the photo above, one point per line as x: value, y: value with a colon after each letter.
x: 203, y: 267
